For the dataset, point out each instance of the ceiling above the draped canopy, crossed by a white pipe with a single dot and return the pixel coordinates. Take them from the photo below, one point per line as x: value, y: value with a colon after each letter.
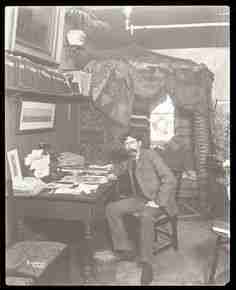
x: 213, y: 36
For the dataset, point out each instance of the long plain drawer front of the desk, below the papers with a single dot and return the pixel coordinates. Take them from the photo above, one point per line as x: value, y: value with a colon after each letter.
x: 66, y: 210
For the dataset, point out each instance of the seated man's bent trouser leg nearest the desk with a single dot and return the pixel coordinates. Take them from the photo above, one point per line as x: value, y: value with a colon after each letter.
x: 115, y: 212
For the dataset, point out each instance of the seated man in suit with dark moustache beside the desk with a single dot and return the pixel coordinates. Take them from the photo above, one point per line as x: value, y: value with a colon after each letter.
x: 151, y: 180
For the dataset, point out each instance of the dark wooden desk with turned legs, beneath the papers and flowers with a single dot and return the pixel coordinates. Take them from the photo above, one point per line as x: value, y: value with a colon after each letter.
x: 85, y: 208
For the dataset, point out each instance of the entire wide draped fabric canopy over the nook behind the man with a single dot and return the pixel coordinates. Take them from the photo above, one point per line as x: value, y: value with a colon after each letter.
x: 117, y: 76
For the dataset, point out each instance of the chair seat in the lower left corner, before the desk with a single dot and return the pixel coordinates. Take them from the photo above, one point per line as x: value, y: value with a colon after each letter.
x: 32, y: 258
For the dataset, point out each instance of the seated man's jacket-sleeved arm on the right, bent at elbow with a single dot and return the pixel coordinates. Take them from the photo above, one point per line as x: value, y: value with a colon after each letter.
x: 168, y: 180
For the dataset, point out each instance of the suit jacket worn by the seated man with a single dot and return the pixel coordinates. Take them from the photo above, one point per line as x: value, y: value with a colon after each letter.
x: 156, y: 179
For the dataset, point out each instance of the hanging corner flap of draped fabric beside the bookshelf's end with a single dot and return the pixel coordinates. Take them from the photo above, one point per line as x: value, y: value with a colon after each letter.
x: 112, y: 89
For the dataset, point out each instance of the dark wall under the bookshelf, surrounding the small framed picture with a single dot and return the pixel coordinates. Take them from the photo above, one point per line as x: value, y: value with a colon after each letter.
x: 63, y: 137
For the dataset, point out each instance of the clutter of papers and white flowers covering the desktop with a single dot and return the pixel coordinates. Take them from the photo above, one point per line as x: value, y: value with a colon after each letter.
x: 68, y: 176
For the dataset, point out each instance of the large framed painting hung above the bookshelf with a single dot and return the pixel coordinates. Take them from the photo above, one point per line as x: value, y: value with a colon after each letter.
x: 35, y: 31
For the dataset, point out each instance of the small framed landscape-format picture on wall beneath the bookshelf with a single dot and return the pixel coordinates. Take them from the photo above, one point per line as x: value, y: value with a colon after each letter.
x: 35, y: 116
